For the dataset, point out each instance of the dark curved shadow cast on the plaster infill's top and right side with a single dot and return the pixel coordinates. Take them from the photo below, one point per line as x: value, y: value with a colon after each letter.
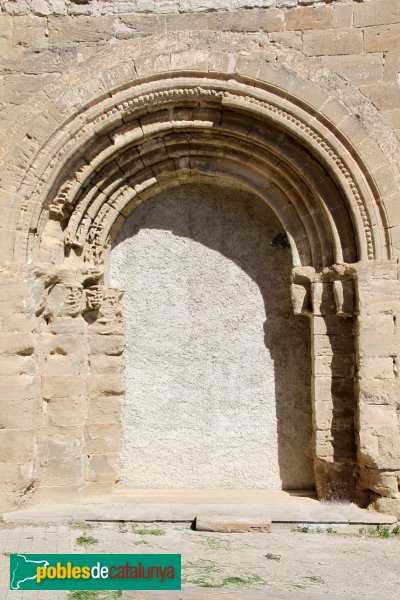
x: 241, y: 227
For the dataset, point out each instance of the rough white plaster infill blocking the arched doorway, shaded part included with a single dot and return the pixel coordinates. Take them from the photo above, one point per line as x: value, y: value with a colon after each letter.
x: 217, y: 369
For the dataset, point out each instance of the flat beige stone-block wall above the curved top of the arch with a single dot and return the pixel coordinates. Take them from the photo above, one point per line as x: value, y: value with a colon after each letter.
x: 360, y: 41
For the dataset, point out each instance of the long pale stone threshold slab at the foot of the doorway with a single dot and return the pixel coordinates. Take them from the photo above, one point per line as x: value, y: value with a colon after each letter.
x: 313, y: 512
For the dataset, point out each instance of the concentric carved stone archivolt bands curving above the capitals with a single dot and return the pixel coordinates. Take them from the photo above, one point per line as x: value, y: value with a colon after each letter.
x: 158, y: 133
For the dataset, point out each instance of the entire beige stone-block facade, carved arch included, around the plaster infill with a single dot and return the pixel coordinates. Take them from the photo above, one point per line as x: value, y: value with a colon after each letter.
x: 101, y: 105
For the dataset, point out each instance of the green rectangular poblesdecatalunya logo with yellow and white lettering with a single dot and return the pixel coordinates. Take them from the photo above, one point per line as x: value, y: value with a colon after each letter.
x: 95, y: 572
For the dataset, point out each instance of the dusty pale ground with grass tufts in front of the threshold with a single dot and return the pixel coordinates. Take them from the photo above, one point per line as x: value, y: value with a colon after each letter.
x: 311, y: 565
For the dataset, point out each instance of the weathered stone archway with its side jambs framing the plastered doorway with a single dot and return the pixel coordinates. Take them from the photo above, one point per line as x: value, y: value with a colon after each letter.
x: 152, y: 125
